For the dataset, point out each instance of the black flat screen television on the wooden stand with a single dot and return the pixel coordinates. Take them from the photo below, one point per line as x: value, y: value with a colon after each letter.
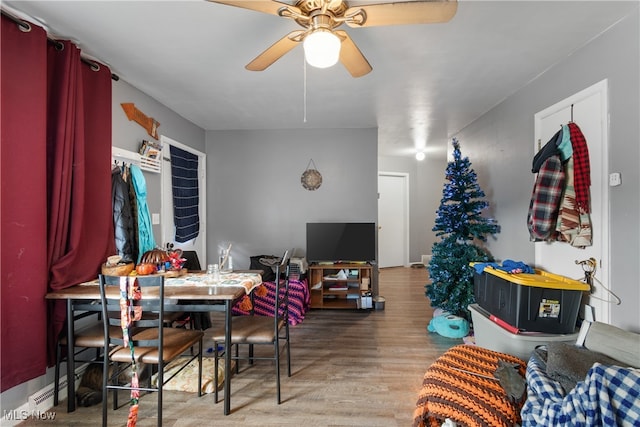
x: 341, y: 241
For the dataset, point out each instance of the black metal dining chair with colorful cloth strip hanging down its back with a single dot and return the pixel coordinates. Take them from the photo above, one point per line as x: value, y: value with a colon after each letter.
x: 149, y: 341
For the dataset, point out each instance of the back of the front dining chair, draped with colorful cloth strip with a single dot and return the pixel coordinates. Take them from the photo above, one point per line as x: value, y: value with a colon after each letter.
x: 140, y: 299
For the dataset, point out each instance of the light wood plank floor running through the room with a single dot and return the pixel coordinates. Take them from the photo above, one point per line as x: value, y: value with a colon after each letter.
x: 350, y: 368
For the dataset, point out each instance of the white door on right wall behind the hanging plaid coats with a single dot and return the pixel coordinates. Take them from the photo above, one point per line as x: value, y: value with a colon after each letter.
x: 589, y: 110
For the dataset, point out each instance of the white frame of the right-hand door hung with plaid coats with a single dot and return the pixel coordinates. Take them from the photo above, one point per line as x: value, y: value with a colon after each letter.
x: 599, y: 89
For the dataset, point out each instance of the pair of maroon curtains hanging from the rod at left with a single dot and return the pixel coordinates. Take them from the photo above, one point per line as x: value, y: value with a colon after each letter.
x: 67, y: 190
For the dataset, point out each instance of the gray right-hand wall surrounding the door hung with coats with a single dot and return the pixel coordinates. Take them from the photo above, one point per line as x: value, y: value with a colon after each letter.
x: 499, y: 145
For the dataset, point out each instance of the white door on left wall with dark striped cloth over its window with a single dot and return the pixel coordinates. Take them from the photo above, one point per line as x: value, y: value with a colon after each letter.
x: 168, y: 227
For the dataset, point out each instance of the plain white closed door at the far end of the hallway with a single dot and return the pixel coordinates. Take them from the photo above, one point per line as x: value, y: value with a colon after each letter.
x: 393, y: 219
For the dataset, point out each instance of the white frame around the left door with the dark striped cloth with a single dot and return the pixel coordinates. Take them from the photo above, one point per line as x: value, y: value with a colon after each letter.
x: 166, y: 200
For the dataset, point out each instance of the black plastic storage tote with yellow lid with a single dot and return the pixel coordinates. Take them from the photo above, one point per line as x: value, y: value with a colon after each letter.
x: 540, y: 302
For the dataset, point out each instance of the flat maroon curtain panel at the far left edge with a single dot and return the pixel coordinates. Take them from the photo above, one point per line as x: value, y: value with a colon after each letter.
x: 23, y: 204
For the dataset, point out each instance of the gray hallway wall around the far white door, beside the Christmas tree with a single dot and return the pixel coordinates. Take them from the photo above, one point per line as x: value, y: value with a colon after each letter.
x: 426, y: 180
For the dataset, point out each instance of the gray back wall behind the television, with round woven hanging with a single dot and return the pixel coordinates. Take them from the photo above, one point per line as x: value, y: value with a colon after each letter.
x: 255, y: 197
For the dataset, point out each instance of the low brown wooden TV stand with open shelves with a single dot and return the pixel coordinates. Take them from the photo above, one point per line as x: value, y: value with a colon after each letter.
x: 329, y: 289
